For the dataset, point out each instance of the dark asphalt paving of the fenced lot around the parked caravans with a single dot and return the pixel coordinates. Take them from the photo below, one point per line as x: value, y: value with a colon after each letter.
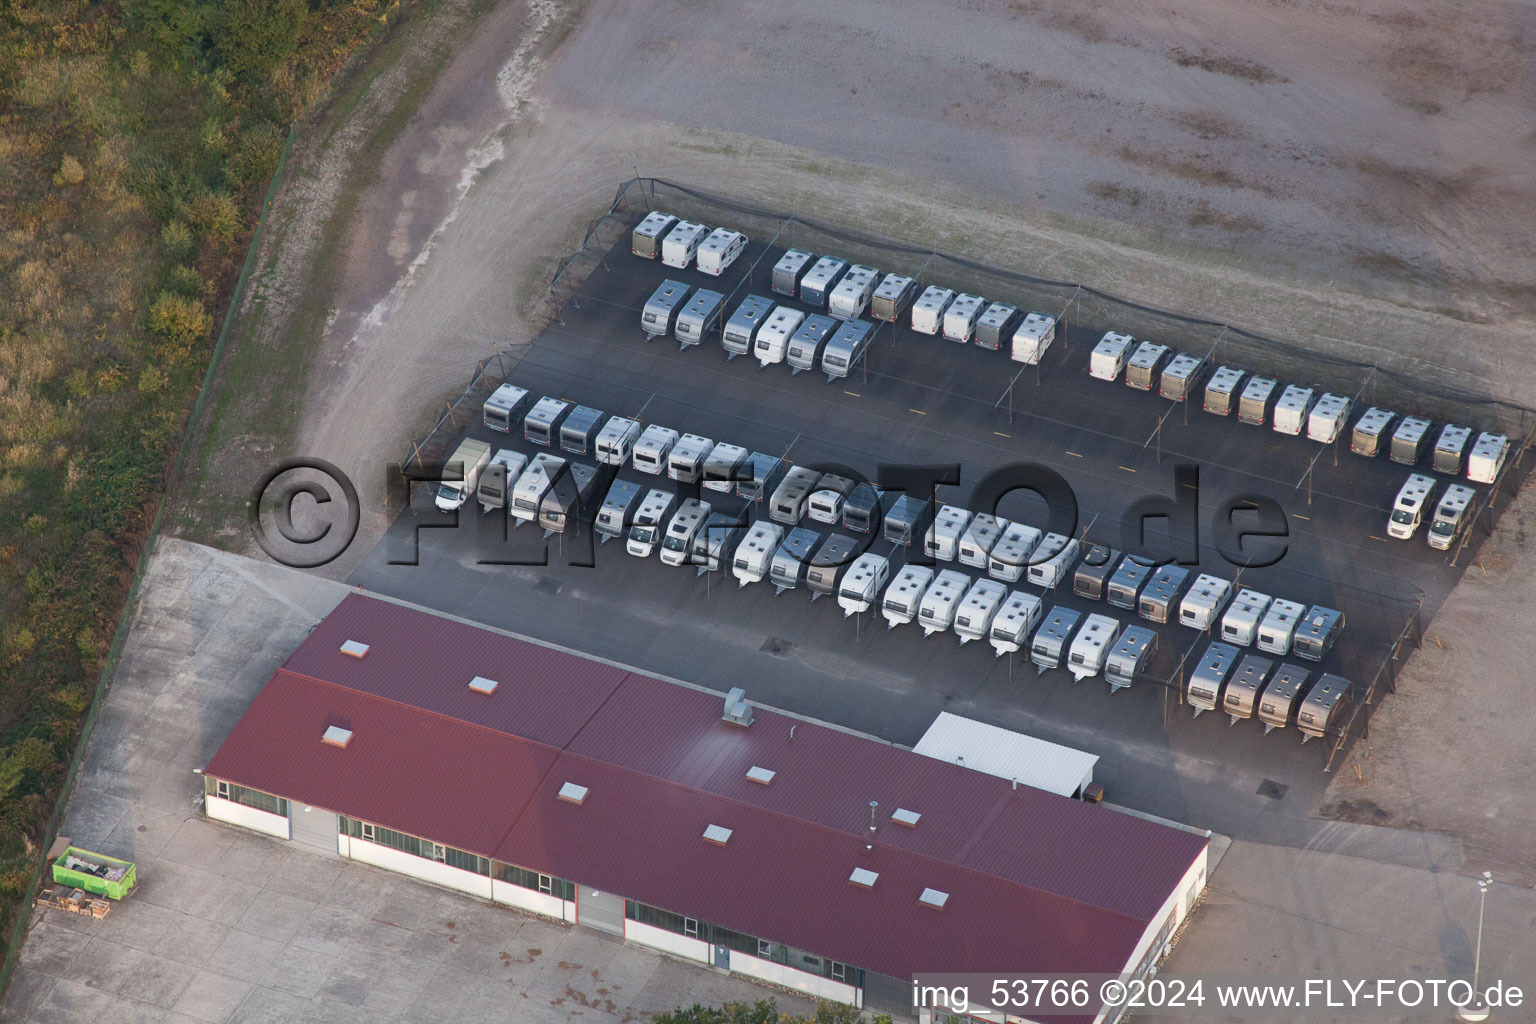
x: 921, y: 400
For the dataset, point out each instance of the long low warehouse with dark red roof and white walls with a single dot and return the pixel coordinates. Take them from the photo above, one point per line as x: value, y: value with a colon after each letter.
x: 737, y: 837
